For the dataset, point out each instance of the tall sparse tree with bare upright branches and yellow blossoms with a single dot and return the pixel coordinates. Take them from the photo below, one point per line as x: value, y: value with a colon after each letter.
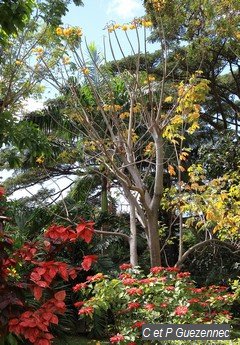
x: 126, y: 119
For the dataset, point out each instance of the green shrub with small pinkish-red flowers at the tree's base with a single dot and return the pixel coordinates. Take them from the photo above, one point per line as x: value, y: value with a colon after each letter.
x: 165, y: 295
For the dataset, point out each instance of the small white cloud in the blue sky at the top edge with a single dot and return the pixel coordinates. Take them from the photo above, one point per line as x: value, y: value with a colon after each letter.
x: 125, y: 9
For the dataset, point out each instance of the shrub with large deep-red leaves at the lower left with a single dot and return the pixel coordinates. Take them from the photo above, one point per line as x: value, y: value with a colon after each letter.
x: 32, y: 268
